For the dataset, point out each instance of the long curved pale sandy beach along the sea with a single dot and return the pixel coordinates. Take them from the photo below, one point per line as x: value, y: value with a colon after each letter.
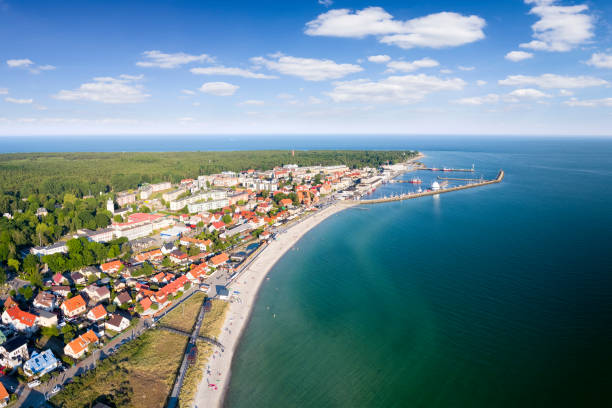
x: 216, y: 376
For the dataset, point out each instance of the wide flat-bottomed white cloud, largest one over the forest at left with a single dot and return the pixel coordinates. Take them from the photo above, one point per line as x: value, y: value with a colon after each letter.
x: 123, y: 89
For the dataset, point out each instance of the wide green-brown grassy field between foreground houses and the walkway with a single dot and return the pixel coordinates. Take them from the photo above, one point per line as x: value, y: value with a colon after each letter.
x: 140, y: 375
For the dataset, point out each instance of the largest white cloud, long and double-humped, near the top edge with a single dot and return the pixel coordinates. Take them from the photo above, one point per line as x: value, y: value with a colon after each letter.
x: 445, y: 29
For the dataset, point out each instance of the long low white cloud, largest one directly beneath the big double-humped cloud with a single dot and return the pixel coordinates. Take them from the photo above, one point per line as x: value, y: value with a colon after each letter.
x: 397, y: 89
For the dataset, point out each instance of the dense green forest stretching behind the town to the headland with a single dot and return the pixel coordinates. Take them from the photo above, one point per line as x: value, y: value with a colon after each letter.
x: 74, y: 187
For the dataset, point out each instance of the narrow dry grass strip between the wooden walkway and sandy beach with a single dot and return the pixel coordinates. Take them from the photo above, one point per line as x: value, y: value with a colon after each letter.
x: 211, y: 327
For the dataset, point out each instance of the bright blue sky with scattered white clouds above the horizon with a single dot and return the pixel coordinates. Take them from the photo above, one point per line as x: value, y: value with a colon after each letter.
x: 533, y: 67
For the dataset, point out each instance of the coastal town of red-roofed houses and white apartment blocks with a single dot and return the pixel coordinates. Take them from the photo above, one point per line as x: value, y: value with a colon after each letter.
x: 164, y: 243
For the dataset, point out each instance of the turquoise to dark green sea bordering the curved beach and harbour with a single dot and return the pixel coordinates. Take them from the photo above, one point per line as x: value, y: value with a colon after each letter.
x: 498, y: 296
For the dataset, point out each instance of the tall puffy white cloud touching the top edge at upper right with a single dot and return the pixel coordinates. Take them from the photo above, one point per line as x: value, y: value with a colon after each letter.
x: 560, y: 28
